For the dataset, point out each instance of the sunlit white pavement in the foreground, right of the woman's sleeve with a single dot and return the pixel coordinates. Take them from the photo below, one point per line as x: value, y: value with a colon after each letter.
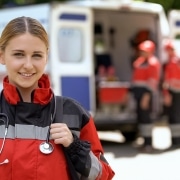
x: 164, y: 166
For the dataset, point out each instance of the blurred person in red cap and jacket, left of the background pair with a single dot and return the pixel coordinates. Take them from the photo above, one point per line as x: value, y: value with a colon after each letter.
x: 145, y: 81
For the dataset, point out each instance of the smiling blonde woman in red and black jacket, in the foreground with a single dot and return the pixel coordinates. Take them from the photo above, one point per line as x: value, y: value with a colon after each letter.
x: 42, y: 136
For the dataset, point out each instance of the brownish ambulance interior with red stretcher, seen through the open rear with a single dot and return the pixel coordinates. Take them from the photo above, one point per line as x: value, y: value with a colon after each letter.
x: 115, y: 37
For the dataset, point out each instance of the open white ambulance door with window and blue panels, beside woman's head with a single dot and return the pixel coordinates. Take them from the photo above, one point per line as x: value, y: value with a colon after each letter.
x: 71, y: 54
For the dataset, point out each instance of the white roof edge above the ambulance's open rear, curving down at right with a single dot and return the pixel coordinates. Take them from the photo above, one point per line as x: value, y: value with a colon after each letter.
x: 127, y: 5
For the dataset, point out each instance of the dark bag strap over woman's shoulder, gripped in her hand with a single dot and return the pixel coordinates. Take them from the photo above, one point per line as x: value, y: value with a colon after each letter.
x: 58, y: 118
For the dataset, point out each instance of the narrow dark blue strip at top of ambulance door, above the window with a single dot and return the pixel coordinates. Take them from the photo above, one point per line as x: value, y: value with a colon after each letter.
x: 69, y: 16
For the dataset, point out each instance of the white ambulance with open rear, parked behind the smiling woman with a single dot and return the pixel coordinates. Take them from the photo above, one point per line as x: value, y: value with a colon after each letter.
x: 86, y: 36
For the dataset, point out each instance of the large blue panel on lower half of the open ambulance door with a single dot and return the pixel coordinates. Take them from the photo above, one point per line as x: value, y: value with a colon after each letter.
x: 77, y: 88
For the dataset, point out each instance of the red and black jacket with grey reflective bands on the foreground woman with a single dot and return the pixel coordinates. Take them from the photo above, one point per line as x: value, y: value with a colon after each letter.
x: 28, y: 124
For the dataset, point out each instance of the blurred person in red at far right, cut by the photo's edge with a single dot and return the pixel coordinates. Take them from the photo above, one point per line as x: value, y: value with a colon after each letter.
x: 171, y: 92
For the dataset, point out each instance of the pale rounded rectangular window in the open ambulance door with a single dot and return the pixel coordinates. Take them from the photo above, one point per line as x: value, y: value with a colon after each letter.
x: 70, y: 45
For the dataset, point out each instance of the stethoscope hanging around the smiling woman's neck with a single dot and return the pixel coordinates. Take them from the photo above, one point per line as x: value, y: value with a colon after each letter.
x: 45, y: 147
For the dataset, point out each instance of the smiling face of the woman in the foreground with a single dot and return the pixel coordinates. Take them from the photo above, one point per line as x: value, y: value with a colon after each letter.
x: 25, y: 58
